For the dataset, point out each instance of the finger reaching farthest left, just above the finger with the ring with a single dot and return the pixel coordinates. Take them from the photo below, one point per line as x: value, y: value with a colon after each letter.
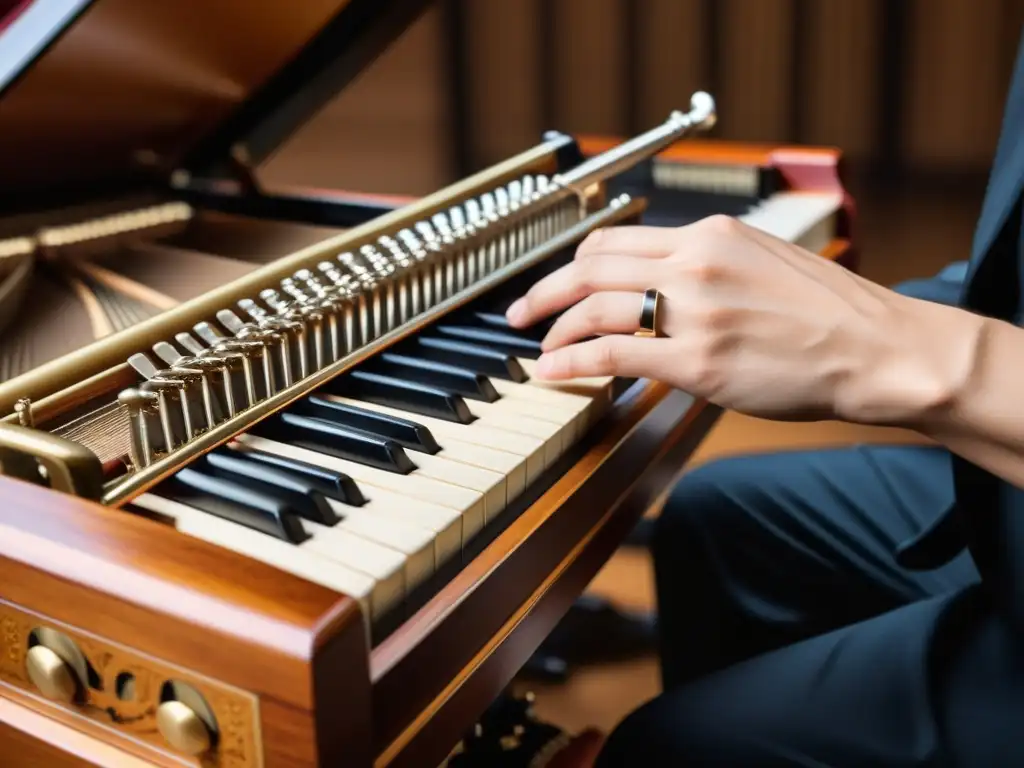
x: 579, y: 280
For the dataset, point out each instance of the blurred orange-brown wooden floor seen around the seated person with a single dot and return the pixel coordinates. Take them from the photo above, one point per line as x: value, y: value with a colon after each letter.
x: 904, y: 235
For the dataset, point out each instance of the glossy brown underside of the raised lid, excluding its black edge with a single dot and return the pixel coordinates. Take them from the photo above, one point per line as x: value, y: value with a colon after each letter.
x: 149, y: 81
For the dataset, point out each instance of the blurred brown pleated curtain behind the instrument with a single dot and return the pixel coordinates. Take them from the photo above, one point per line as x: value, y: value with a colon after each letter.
x: 905, y: 88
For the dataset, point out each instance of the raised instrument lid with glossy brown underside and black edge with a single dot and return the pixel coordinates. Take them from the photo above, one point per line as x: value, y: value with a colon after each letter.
x: 106, y: 98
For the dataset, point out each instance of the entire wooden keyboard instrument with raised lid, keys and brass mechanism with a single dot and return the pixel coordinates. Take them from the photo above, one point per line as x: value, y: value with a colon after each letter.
x: 301, y: 502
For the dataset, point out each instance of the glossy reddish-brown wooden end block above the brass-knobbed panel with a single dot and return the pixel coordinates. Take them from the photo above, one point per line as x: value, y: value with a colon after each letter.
x: 300, y: 648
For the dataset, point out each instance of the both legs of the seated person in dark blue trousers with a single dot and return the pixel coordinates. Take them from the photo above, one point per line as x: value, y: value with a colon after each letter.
x: 757, y: 553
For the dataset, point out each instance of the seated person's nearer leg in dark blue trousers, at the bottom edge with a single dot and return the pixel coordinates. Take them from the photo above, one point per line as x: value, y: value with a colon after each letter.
x: 936, y: 684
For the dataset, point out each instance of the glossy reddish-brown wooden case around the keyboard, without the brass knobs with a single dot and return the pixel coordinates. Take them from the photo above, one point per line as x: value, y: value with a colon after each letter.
x: 290, y: 658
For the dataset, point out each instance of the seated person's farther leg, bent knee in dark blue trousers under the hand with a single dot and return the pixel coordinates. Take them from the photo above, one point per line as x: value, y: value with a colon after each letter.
x: 754, y: 553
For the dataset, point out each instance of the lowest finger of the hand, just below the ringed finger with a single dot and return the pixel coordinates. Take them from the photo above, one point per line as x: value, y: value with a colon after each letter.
x: 630, y: 357
